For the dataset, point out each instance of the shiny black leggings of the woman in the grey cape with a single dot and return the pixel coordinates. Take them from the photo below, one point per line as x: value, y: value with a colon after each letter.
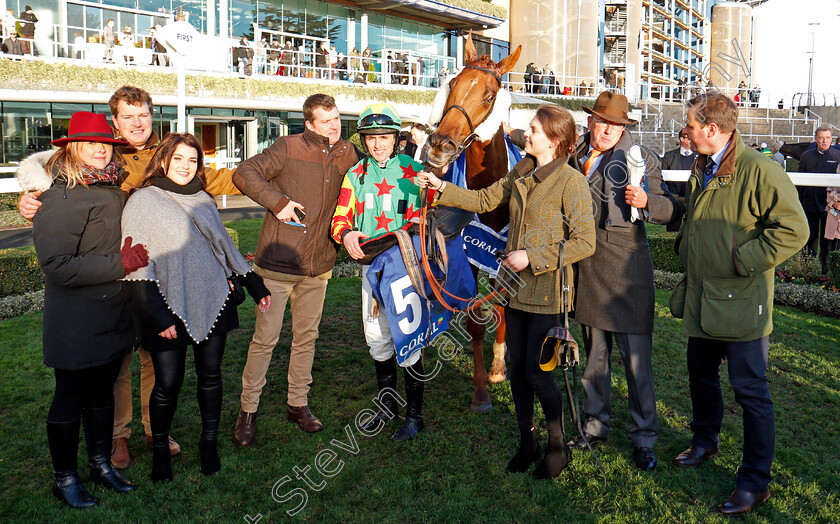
x: 169, y: 376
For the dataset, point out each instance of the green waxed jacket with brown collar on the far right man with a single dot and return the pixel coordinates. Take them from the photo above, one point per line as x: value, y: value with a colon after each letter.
x: 737, y: 230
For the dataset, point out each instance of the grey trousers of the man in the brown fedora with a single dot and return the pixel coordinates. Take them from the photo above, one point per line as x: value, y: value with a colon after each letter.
x: 636, y: 351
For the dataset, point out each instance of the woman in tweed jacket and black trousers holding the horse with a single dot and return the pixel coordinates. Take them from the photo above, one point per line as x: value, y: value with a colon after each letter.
x: 550, y: 217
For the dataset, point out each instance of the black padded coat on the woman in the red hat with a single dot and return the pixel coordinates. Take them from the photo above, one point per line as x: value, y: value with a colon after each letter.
x: 77, y: 238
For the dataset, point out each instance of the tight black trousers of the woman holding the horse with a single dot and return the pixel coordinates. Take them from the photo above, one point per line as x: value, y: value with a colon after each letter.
x: 524, y: 337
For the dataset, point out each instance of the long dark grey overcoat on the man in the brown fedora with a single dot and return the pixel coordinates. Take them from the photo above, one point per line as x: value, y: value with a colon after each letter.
x: 615, y: 285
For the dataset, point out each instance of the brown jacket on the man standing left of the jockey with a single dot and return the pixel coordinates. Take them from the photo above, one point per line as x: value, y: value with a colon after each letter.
x: 306, y: 169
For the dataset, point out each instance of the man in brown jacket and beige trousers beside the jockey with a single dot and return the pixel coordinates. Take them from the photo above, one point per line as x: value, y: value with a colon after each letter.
x: 297, y: 179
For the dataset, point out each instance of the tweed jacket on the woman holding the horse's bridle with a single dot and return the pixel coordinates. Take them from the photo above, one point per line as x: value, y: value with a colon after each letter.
x: 549, y: 208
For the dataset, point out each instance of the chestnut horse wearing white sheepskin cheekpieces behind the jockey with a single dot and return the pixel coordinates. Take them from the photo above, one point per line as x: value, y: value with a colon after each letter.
x: 470, y: 121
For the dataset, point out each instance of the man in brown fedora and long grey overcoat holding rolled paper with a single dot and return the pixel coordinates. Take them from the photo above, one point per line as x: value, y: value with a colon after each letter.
x: 615, y: 297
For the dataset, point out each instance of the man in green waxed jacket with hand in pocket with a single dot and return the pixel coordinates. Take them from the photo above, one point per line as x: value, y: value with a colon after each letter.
x: 743, y: 217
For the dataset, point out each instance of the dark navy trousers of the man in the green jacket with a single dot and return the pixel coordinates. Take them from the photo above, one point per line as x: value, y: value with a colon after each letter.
x: 747, y: 373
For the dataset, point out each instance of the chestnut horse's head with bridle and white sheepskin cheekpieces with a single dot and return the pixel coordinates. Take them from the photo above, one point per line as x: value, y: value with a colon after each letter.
x: 464, y: 107
